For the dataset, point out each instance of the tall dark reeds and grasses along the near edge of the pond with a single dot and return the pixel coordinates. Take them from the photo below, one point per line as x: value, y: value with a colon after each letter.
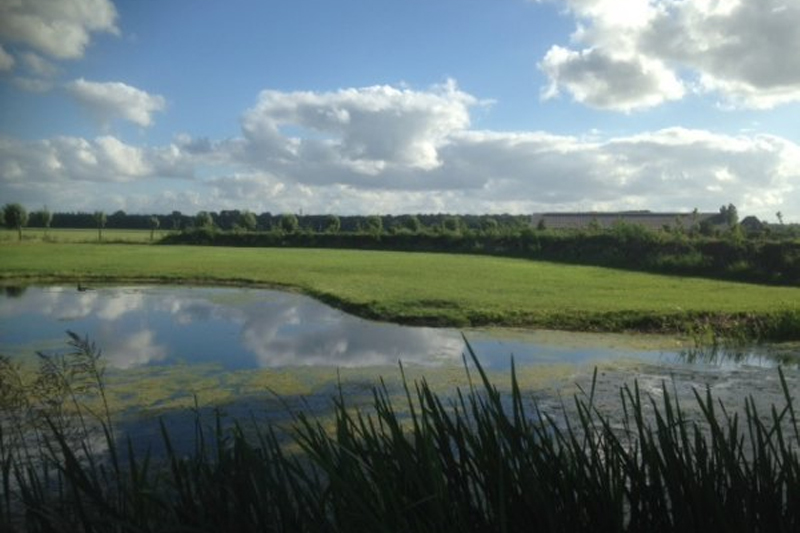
x: 479, y: 461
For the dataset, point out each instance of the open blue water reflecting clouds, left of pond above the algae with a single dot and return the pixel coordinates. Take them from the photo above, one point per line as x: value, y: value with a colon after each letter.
x: 236, y: 328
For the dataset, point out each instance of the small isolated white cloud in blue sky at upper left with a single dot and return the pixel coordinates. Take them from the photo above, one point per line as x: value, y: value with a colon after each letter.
x: 109, y: 100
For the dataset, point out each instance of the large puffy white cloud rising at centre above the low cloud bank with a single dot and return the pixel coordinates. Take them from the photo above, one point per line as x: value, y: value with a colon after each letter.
x: 363, y: 131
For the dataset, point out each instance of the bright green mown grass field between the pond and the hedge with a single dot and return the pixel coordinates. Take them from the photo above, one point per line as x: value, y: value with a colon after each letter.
x: 436, y: 289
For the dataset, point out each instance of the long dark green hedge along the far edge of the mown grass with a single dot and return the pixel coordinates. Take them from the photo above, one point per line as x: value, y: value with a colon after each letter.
x: 732, y: 257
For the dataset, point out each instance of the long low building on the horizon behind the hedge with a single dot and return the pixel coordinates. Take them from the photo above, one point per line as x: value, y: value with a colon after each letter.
x: 605, y: 220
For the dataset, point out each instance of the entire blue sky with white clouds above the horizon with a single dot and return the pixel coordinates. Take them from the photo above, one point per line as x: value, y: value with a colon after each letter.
x: 401, y: 106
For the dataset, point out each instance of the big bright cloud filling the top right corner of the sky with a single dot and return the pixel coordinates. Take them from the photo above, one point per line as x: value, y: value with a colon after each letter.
x: 640, y: 53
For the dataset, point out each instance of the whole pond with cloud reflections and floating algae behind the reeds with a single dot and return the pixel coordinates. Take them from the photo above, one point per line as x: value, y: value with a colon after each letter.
x: 167, y: 347
